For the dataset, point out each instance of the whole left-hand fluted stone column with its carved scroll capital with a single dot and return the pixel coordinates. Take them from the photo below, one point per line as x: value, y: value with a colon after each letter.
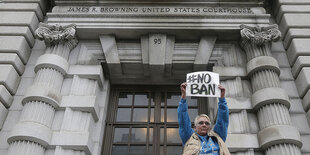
x: 33, y: 133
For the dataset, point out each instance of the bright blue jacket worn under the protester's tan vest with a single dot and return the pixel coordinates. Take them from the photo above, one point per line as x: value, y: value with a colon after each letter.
x: 220, y: 127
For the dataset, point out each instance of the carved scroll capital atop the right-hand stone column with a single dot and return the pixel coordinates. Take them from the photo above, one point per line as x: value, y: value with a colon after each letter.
x: 260, y: 35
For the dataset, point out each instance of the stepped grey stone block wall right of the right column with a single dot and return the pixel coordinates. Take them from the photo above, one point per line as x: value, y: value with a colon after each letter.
x: 292, y: 16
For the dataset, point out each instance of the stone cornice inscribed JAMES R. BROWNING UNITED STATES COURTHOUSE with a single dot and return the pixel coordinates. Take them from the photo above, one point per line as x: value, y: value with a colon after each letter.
x: 93, y: 21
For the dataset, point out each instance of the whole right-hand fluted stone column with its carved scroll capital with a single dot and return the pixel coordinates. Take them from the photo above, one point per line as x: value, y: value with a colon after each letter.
x: 276, y: 135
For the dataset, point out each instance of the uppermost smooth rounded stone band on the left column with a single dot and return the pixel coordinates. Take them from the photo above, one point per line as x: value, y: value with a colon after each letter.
x: 52, y: 61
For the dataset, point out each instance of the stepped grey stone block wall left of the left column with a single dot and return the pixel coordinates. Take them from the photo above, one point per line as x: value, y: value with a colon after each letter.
x: 18, y: 21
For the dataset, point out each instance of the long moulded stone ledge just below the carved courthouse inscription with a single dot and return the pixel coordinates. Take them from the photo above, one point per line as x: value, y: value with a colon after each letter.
x: 178, y: 22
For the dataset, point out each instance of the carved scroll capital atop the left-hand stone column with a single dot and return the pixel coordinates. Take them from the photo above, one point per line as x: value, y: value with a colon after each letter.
x: 56, y: 34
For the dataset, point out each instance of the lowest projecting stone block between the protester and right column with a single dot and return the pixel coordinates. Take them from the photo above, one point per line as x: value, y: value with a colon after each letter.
x: 241, y: 142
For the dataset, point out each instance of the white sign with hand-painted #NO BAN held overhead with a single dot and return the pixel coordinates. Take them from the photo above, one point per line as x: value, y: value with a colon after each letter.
x: 203, y: 84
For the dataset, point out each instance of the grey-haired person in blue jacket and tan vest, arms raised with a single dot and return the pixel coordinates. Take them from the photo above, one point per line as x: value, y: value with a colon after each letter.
x: 203, y: 140
